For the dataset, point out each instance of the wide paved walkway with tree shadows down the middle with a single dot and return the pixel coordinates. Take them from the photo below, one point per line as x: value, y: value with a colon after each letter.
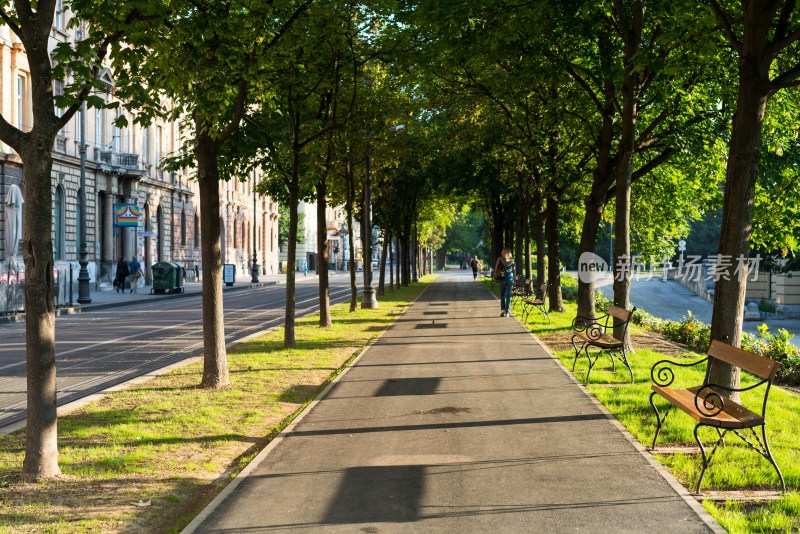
x: 455, y: 420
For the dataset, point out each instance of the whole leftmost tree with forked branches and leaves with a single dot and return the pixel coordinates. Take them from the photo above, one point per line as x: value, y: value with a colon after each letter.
x: 31, y: 23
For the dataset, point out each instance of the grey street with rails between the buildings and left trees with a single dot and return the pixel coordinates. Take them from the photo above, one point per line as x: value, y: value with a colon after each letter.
x: 105, y: 347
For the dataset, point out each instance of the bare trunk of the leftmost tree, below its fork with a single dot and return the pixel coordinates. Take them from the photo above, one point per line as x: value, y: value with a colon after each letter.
x: 41, y: 436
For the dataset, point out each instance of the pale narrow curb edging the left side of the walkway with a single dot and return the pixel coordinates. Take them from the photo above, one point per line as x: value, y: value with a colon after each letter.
x: 259, y: 458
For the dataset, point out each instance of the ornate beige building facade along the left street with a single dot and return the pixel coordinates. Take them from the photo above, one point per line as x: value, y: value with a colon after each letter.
x: 123, y: 169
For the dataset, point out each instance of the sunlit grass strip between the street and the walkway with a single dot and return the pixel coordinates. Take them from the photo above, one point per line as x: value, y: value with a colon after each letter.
x: 149, y: 458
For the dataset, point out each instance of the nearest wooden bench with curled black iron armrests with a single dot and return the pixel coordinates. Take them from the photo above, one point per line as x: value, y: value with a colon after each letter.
x: 710, y: 404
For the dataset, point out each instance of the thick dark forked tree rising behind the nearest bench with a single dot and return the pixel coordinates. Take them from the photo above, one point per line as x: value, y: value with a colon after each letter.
x: 763, y: 35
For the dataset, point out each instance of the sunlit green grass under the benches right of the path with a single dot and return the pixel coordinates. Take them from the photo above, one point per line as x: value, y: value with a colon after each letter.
x: 735, y: 467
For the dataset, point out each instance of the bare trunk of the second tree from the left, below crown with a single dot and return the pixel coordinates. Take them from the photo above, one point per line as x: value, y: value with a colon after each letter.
x: 215, y: 359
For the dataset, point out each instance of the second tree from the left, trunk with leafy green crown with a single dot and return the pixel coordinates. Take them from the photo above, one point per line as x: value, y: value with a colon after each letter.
x: 207, y: 57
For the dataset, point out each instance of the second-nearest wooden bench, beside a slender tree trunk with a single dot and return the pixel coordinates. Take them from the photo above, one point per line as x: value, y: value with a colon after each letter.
x: 594, y: 332
